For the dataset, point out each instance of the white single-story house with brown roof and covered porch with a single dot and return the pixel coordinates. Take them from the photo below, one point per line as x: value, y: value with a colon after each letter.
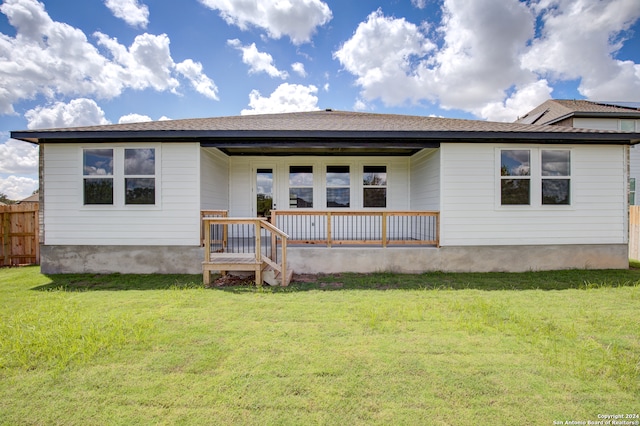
x: 354, y: 192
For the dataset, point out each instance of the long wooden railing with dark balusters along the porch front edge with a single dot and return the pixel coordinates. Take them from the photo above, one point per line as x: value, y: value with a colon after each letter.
x: 367, y: 227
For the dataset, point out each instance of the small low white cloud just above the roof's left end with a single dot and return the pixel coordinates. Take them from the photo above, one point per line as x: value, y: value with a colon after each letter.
x: 78, y: 112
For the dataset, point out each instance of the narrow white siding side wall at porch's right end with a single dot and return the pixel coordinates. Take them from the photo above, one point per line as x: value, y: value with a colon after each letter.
x: 425, y: 180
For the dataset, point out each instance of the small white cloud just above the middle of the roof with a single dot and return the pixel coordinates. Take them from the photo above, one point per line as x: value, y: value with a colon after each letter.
x: 286, y: 98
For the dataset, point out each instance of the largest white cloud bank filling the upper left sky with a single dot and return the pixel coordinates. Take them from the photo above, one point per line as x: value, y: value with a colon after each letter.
x: 55, y: 59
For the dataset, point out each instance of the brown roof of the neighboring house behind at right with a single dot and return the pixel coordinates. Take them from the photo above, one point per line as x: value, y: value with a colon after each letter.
x: 555, y: 110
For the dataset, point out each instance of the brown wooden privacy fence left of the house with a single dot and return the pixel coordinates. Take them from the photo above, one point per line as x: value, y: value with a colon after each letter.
x: 19, y: 235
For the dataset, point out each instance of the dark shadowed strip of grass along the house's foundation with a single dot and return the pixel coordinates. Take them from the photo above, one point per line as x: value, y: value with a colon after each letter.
x: 490, y: 281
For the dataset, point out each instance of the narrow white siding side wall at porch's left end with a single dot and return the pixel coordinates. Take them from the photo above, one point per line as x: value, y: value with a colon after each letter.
x: 214, y: 166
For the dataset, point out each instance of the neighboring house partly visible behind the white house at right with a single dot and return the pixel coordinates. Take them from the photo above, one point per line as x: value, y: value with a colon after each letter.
x: 615, y: 116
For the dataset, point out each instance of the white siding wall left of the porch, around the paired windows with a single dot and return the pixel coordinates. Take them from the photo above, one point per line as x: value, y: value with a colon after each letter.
x: 174, y: 220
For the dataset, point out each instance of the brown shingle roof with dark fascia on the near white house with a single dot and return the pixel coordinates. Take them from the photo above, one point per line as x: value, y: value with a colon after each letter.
x: 321, y: 130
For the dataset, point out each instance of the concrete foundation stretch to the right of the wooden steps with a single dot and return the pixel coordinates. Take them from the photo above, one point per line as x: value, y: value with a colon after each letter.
x: 457, y: 259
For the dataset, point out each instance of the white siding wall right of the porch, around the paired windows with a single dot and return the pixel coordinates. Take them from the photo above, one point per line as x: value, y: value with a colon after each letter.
x: 471, y: 213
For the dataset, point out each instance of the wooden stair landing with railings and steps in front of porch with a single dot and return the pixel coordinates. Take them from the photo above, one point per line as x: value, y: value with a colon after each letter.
x: 244, y: 244
